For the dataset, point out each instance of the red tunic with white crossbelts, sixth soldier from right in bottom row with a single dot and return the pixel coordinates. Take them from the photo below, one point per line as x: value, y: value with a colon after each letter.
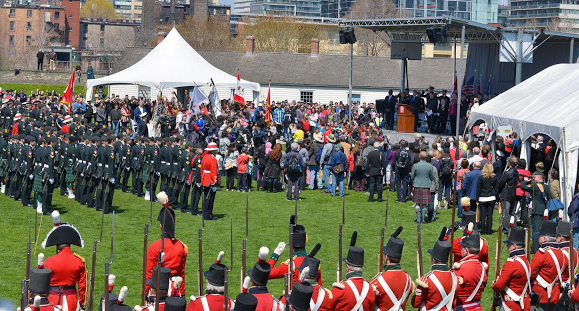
x: 398, y: 282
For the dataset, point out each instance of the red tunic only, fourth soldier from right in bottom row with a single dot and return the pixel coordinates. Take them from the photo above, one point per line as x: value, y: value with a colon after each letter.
x: 472, y: 276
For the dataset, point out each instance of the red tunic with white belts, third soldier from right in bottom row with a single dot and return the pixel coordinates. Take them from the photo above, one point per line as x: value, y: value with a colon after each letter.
x: 512, y: 283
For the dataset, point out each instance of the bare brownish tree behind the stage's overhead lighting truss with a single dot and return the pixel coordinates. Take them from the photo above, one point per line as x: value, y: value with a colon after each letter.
x: 370, y: 42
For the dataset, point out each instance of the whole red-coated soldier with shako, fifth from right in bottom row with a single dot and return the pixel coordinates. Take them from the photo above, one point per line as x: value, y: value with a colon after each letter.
x: 436, y: 289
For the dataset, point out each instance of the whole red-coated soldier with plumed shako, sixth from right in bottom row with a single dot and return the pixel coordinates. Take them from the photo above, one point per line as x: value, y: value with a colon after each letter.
x: 394, y: 285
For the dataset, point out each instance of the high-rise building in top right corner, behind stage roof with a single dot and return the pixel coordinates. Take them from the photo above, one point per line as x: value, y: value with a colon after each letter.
x: 560, y: 15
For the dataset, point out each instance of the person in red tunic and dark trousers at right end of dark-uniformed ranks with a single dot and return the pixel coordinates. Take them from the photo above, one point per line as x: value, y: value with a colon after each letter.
x: 209, y: 180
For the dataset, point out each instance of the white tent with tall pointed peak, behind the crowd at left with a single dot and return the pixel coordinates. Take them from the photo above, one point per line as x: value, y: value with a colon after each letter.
x: 171, y: 64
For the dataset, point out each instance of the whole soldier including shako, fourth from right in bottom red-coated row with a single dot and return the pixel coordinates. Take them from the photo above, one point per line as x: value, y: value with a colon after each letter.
x: 472, y: 275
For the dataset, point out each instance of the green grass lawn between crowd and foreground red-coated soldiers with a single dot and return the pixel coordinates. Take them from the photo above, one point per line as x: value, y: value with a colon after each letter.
x: 268, y: 224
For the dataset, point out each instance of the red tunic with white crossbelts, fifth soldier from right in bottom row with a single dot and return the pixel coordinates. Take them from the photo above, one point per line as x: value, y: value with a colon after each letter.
x: 427, y: 294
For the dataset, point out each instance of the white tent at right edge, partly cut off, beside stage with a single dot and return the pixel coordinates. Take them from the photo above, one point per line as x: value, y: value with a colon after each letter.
x: 544, y: 103
